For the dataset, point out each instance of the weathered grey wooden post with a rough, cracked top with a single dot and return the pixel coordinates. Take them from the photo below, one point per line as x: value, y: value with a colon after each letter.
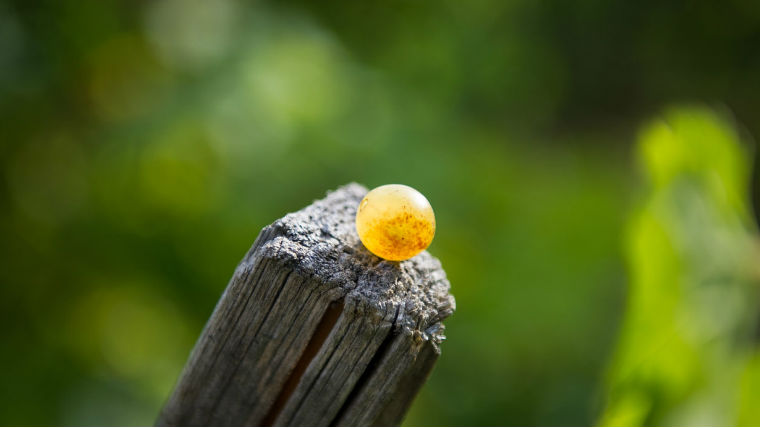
x: 315, y: 330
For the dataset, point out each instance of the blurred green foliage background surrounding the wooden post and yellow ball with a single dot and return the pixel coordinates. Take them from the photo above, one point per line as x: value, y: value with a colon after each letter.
x: 590, y: 164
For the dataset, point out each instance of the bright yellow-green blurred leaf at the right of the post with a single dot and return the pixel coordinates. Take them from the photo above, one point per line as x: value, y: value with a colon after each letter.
x: 689, y: 340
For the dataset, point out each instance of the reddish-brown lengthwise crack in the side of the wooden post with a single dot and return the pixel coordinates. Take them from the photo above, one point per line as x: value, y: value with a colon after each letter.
x: 324, y: 327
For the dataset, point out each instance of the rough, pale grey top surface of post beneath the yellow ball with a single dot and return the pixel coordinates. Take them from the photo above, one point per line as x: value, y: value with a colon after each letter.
x: 320, y: 241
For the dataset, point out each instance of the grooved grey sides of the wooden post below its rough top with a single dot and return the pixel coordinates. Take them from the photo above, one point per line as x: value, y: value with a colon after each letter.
x: 246, y: 369
